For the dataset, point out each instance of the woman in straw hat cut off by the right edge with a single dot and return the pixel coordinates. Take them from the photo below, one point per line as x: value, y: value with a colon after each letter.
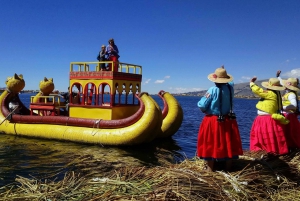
x: 291, y: 111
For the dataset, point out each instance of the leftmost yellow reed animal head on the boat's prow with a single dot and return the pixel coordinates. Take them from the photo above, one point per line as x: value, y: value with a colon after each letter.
x: 15, y: 84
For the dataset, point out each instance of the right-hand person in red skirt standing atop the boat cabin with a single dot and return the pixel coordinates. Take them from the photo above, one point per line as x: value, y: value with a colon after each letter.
x: 112, y: 52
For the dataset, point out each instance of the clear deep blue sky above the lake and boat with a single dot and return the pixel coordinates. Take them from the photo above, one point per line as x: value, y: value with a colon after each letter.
x: 177, y: 42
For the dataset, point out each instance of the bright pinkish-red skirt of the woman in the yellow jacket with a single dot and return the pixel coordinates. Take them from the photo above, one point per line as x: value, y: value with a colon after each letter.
x: 268, y: 134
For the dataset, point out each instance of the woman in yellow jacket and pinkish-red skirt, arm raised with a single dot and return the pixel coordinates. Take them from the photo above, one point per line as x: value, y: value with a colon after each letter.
x: 267, y: 132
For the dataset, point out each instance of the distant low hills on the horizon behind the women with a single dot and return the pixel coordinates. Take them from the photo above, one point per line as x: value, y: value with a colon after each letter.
x: 241, y: 90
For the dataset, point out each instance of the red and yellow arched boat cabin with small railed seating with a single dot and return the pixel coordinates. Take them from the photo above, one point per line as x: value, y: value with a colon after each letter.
x: 97, y: 94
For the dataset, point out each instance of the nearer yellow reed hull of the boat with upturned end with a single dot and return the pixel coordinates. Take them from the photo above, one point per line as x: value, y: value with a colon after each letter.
x: 137, y: 133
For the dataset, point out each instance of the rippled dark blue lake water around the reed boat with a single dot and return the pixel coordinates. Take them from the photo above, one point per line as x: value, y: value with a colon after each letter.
x: 32, y: 157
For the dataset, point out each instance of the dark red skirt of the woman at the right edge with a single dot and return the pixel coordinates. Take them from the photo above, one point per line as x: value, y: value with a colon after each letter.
x: 292, y: 131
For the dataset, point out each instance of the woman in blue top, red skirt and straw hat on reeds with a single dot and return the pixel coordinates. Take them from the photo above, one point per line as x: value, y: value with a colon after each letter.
x: 219, y: 136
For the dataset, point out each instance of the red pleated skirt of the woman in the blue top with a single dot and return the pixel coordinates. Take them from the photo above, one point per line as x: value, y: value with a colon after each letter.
x: 218, y: 140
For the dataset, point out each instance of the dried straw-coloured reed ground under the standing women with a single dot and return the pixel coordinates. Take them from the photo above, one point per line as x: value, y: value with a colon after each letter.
x: 256, y: 176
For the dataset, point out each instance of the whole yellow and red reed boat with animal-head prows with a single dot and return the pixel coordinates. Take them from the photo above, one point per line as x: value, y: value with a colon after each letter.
x: 103, y: 107
